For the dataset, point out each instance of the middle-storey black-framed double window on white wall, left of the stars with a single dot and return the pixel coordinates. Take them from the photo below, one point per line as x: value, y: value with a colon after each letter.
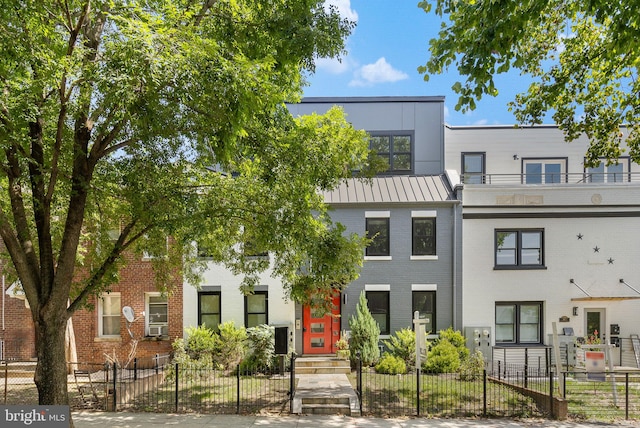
x: 519, y: 249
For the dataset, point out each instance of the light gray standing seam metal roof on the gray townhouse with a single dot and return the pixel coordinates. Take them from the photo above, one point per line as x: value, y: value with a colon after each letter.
x: 392, y: 189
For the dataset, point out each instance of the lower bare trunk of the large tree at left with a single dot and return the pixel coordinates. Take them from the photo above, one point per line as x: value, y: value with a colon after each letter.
x: 51, y: 371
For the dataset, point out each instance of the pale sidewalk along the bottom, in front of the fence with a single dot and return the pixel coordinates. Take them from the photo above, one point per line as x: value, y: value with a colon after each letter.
x: 149, y: 420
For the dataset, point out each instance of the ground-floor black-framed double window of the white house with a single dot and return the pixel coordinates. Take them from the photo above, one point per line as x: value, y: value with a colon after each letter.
x: 519, y: 323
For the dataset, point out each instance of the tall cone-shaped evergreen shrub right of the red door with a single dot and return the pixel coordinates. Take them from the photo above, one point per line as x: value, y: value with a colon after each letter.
x: 365, y: 333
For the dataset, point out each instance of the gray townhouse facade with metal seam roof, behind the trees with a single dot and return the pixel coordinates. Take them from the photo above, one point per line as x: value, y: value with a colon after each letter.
x: 401, y: 200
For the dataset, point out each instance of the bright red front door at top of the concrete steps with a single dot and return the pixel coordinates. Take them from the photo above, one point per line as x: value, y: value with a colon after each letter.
x: 321, y: 331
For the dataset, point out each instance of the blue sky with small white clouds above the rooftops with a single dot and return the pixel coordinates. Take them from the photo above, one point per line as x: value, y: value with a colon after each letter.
x: 389, y: 43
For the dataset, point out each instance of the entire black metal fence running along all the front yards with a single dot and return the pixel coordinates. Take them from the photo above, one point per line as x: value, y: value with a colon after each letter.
x: 500, y: 390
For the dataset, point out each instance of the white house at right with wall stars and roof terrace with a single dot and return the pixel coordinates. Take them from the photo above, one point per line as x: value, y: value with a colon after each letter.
x: 546, y: 241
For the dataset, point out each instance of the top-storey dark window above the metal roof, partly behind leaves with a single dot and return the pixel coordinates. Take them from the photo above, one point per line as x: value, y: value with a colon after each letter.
x: 396, y: 148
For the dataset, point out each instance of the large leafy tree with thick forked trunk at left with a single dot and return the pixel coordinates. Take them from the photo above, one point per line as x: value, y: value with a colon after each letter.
x: 123, y: 123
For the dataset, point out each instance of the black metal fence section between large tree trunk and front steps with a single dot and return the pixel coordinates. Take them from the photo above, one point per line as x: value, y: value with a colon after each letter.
x: 164, y: 386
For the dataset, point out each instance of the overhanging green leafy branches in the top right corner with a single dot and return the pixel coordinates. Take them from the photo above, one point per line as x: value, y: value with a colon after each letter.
x: 580, y: 56
